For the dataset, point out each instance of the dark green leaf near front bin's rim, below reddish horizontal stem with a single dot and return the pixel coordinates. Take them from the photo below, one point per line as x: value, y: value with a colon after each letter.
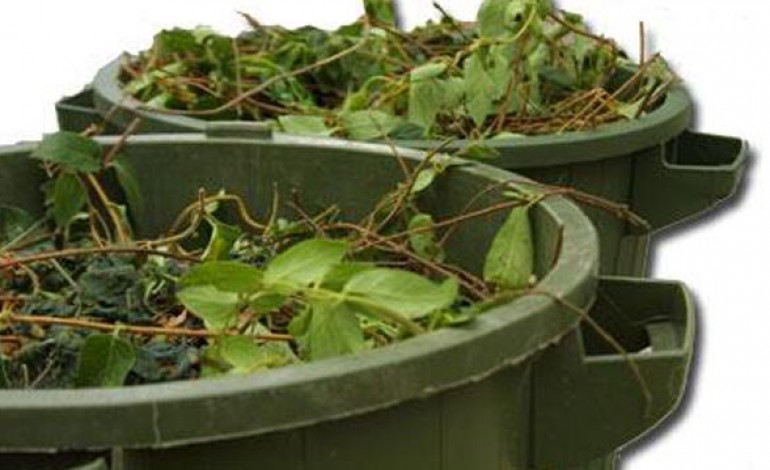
x: 104, y: 361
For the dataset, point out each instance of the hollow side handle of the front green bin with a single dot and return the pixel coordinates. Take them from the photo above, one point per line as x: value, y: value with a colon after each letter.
x: 588, y: 401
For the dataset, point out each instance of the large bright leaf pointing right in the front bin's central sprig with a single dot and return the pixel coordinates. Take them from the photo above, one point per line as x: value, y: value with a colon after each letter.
x: 402, y: 292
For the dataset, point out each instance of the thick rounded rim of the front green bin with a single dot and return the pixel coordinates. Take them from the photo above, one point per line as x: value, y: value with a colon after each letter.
x: 311, y: 393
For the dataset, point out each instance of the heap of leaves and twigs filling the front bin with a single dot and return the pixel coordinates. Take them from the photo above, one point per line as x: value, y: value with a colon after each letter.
x: 85, y: 303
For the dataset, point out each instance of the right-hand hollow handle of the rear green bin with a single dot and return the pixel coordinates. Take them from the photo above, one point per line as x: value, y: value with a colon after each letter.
x: 688, y: 176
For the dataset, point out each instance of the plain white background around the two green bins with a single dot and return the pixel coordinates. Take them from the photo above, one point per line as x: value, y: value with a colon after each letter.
x: 51, y: 48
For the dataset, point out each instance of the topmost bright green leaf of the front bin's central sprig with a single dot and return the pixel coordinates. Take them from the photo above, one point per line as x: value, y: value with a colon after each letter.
x: 306, y: 263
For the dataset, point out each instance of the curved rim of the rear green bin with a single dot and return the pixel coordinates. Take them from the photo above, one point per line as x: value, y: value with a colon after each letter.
x: 670, y: 119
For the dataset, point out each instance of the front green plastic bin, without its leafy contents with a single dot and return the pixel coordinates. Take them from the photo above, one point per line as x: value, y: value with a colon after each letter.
x: 487, y: 396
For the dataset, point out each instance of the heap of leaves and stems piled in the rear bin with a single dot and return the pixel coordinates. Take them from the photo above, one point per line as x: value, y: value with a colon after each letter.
x: 523, y: 68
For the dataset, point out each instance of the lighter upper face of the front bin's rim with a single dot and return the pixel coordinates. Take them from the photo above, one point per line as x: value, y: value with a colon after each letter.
x: 576, y: 267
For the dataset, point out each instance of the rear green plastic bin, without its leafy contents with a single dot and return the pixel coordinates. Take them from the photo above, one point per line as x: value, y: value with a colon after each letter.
x: 653, y: 165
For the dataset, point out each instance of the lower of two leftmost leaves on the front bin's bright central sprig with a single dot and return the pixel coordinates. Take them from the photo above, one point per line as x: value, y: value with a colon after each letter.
x: 216, y: 307
